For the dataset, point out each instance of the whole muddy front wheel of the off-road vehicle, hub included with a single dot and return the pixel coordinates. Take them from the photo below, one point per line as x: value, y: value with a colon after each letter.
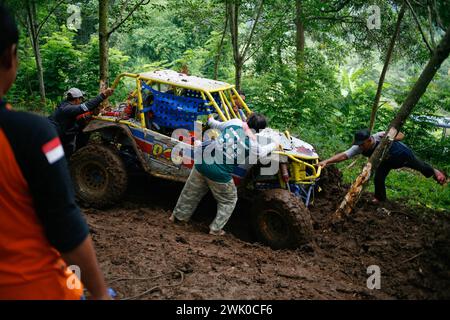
x: 281, y: 220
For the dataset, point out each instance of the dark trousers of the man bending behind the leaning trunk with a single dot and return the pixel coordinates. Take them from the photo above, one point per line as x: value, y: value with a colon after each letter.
x: 386, y: 166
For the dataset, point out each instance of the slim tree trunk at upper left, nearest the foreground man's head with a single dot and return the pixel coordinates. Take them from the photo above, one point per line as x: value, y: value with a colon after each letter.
x: 34, y: 37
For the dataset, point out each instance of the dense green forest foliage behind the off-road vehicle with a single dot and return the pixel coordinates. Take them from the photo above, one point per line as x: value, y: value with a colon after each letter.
x: 311, y: 66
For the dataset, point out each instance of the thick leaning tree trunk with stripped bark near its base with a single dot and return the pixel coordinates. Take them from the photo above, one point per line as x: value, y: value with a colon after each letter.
x: 440, y: 54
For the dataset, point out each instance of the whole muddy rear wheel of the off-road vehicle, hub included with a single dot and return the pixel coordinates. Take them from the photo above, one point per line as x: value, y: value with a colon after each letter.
x: 99, y: 176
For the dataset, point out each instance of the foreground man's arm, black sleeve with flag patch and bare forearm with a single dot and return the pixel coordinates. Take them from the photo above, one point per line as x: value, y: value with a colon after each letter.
x: 41, y: 158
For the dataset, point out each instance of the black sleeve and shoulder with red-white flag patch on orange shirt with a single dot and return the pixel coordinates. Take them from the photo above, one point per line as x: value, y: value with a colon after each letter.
x: 47, y: 175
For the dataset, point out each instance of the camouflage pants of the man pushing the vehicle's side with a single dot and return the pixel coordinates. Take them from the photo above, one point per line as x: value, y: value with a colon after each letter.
x: 196, y: 188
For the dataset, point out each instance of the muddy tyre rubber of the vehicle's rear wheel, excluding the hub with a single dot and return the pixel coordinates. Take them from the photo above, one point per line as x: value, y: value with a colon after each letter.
x: 114, y: 166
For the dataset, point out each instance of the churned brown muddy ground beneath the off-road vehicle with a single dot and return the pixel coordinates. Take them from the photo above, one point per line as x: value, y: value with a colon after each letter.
x: 144, y: 256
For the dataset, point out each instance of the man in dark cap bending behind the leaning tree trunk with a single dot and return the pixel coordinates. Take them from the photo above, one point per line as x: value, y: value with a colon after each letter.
x: 399, y: 156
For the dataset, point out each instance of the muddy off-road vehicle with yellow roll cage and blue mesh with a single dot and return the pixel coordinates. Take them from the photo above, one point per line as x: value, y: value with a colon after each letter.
x: 144, y: 131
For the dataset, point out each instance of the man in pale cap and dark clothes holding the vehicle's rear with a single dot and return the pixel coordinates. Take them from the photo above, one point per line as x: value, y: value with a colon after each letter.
x: 67, y: 115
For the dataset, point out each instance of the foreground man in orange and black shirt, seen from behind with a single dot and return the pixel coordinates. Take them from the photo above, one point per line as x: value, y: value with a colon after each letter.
x: 41, y: 227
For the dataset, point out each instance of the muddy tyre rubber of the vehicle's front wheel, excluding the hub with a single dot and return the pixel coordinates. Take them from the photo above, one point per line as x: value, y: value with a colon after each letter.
x: 293, y: 211
